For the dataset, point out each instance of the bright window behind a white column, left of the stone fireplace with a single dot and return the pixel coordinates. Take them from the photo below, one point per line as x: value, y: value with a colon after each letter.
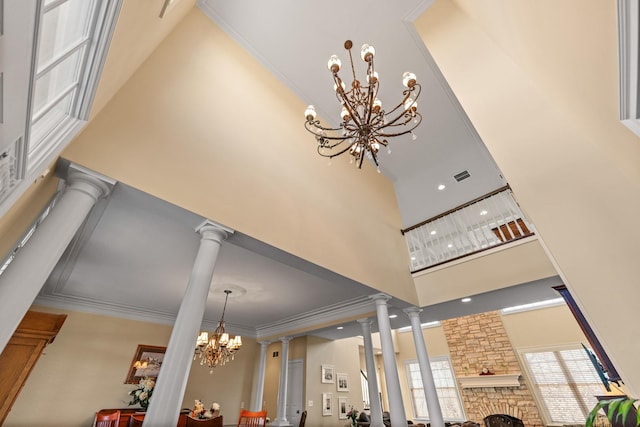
x: 446, y: 389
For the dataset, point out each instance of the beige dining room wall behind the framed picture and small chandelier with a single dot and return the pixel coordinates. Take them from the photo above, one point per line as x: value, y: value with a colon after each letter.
x: 84, y: 370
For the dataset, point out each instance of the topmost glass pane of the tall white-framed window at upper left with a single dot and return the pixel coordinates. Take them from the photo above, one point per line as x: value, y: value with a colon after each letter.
x: 62, y: 28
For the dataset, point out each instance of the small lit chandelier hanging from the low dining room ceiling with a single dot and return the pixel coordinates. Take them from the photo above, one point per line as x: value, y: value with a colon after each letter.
x: 220, y: 349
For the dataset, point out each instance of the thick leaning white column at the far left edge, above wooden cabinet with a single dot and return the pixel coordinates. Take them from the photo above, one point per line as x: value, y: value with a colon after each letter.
x: 24, y: 277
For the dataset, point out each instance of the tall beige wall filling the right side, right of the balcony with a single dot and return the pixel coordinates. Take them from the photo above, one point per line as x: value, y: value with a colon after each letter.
x: 539, y: 82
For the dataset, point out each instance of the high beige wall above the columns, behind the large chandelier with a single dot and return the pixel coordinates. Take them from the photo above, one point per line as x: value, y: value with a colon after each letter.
x: 177, y: 130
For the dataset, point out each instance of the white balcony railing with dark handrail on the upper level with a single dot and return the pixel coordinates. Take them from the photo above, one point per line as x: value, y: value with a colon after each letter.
x: 487, y: 222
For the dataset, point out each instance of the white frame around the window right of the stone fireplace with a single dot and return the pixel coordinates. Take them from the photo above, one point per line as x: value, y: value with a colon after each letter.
x: 540, y: 401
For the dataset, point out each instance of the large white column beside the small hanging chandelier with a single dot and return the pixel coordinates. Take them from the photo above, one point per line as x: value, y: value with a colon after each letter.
x: 165, y: 404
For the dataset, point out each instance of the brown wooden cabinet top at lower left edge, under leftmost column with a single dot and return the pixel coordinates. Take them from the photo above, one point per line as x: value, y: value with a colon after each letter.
x: 22, y: 352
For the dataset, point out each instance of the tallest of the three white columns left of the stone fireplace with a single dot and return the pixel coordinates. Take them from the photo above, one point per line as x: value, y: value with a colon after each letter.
x: 396, y: 407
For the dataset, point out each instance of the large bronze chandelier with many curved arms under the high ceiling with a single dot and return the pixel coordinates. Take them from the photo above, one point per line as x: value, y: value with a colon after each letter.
x: 365, y: 125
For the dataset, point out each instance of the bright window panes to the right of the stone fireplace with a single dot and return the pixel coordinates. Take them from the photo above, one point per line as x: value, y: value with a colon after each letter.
x: 565, y: 382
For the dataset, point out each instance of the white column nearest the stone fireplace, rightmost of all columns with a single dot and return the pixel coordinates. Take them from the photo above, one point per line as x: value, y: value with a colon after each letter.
x: 429, y: 386
